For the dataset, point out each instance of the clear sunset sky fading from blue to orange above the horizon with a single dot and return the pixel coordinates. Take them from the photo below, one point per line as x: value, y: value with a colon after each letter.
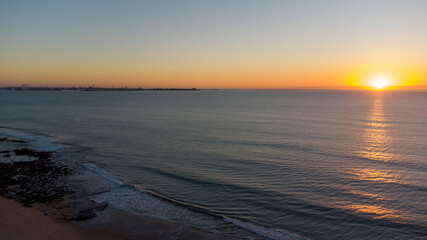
x: 241, y: 44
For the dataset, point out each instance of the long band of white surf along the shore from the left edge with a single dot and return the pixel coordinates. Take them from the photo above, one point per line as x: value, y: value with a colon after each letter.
x: 139, y: 201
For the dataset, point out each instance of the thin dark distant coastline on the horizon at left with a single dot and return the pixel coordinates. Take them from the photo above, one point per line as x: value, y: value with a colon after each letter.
x: 27, y: 88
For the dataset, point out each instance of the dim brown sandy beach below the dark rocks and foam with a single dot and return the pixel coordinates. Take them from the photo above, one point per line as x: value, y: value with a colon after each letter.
x: 19, y: 222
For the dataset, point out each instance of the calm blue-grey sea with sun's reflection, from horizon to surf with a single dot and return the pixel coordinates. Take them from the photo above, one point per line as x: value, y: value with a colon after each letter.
x: 321, y: 164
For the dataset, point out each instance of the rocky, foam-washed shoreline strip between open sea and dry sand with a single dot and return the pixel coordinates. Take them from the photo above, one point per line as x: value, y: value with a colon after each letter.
x: 51, y: 178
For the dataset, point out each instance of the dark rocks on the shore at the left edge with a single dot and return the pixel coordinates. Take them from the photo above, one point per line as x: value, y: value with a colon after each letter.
x: 41, y: 182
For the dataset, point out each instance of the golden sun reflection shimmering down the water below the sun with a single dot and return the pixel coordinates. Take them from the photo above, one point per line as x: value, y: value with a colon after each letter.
x: 377, y: 145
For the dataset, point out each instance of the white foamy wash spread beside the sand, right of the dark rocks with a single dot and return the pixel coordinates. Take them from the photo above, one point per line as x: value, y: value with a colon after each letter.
x: 133, y: 200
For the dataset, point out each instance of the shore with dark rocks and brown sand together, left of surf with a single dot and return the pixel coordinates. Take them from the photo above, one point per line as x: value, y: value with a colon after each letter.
x: 42, y: 197
